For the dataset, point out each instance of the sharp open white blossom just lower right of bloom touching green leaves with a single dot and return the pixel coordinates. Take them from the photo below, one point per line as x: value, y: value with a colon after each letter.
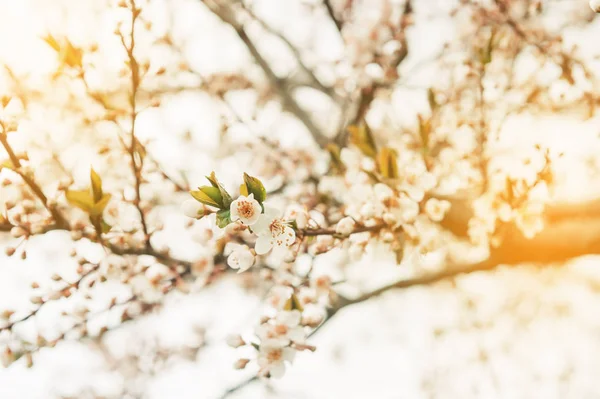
x: 273, y: 232
